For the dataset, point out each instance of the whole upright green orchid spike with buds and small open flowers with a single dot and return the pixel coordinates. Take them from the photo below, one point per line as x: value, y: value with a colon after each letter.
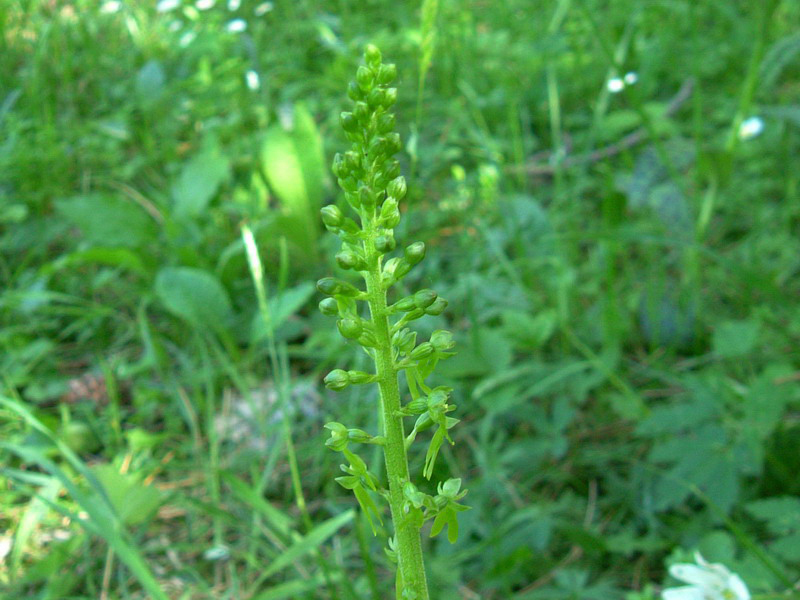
x: 373, y: 187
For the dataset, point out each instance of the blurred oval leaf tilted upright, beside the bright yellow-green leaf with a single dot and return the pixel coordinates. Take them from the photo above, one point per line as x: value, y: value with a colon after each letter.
x: 199, y: 180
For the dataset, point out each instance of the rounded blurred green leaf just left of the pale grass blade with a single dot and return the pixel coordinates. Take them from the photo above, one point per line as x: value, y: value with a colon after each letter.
x: 194, y: 295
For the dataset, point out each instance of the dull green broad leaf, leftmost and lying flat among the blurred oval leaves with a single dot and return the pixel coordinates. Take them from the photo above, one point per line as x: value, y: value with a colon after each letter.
x: 108, y: 220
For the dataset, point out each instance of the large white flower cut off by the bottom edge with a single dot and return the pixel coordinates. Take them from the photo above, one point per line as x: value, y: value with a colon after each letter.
x: 706, y: 581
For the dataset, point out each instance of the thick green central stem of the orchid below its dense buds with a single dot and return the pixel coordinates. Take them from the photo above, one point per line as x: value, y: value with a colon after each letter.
x: 407, y: 537
